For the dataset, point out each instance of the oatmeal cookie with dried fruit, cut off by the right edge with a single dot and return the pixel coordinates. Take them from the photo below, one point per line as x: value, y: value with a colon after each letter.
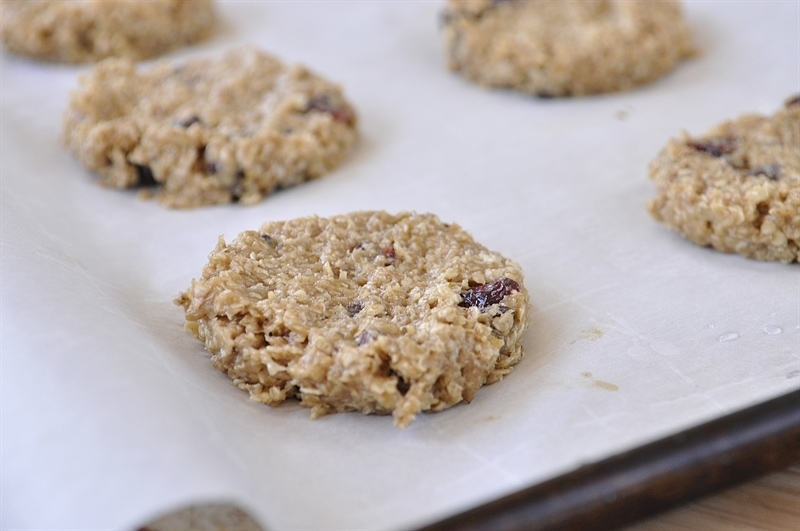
x: 736, y: 188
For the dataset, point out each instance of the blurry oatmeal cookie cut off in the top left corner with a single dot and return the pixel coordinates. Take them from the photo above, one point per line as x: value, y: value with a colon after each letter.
x: 90, y: 30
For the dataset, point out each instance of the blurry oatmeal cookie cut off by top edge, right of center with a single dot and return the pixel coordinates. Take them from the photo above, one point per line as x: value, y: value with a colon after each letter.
x: 564, y: 48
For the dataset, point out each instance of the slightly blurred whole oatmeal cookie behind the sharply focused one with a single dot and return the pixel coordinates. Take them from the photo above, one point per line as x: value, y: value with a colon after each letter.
x: 209, y: 131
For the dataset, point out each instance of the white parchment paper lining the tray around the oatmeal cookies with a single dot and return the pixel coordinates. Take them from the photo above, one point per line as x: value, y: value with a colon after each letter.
x: 112, y: 414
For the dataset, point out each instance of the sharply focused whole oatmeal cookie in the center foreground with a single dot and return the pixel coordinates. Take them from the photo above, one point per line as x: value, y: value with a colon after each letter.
x: 367, y: 311
